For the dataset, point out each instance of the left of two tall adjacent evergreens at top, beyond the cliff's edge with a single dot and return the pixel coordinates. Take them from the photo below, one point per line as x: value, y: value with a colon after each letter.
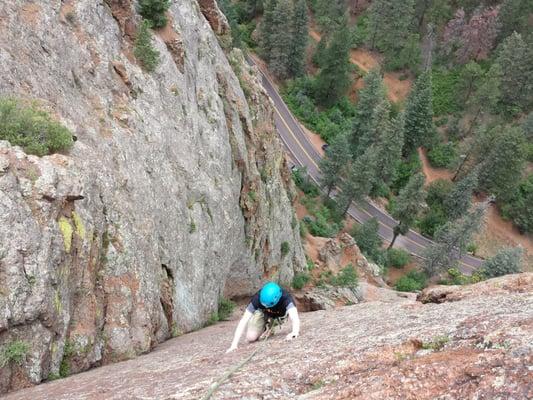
x: 279, y: 58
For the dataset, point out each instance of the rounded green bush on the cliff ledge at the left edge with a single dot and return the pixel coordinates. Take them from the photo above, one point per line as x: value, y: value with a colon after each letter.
x: 31, y: 128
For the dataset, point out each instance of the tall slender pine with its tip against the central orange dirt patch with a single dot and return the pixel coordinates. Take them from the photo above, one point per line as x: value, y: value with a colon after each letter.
x: 372, y: 94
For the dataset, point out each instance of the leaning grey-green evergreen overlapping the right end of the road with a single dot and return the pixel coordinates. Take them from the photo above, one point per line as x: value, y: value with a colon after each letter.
x: 451, y: 241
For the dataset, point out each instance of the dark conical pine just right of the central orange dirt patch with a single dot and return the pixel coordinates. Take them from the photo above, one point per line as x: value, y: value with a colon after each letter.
x: 419, y: 114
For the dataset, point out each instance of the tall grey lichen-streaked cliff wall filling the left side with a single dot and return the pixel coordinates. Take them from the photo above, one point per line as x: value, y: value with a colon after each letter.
x: 175, y: 193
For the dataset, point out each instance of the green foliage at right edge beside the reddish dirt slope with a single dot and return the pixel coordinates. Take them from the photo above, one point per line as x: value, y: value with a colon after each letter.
x: 518, y: 208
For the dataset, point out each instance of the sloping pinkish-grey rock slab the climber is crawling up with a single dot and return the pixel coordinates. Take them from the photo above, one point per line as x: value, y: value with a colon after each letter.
x: 478, y: 347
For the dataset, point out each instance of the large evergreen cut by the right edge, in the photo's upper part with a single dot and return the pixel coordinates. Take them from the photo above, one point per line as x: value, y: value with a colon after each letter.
x: 515, y: 58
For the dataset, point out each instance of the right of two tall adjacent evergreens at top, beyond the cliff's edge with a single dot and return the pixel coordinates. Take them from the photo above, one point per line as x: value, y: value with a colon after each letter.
x: 299, y: 39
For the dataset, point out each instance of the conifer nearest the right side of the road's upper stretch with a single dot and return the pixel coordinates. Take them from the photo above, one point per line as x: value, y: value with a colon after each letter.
x: 335, y: 162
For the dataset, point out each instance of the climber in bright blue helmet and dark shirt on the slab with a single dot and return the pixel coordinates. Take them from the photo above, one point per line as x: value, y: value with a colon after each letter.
x: 270, y: 303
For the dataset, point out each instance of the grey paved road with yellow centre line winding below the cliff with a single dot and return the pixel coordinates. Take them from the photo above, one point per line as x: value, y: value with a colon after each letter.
x: 304, y: 153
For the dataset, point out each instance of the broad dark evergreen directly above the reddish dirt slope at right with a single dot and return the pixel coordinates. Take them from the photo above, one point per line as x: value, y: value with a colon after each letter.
x: 503, y: 165
